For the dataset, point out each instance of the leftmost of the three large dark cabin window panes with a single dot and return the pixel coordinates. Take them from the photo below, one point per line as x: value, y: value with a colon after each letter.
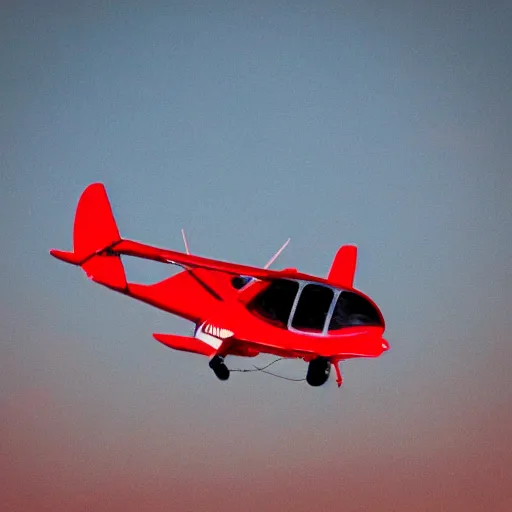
x: 275, y: 302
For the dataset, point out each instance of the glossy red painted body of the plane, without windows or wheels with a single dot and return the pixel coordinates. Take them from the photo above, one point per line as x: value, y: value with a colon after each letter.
x: 204, y: 294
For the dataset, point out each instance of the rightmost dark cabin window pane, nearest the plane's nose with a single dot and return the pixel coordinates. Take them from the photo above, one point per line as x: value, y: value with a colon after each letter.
x: 351, y: 310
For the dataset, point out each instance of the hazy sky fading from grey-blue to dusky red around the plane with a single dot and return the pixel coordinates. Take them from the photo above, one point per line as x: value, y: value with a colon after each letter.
x: 386, y: 124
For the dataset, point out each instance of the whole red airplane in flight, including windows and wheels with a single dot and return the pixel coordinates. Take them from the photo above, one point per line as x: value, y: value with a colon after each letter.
x: 237, y: 309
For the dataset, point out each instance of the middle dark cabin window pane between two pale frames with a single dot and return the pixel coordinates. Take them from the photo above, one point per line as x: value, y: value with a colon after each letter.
x: 312, y: 308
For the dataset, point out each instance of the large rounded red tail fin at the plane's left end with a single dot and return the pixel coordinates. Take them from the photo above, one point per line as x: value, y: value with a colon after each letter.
x: 94, y: 231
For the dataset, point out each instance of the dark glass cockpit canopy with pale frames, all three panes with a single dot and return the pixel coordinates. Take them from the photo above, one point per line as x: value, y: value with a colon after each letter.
x: 313, y: 307
